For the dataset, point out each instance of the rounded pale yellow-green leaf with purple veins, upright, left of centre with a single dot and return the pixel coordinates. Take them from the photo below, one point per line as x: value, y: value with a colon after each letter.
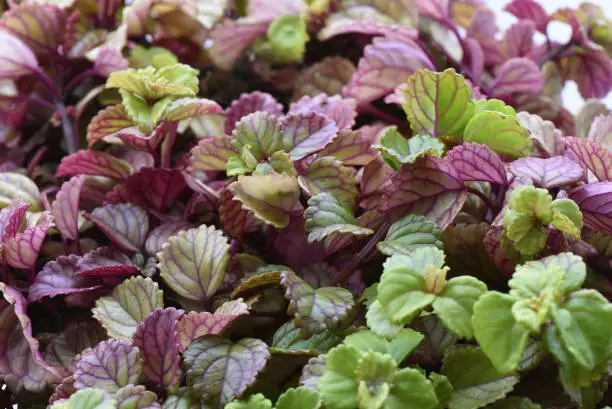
x: 193, y: 262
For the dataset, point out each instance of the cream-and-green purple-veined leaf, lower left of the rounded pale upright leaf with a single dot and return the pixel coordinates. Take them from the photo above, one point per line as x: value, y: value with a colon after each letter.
x: 129, y: 304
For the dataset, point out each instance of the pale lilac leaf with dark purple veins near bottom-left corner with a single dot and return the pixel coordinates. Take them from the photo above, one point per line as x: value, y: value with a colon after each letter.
x: 110, y: 365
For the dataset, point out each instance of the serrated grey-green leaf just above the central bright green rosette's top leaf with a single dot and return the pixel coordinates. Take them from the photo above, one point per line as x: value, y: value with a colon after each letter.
x: 410, y: 233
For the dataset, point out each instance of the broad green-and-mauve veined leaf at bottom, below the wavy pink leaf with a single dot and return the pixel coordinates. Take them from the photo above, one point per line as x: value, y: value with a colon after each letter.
x: 220, y: 370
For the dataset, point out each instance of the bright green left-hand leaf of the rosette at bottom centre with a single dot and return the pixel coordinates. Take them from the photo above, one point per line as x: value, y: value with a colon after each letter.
x: 338, y: 385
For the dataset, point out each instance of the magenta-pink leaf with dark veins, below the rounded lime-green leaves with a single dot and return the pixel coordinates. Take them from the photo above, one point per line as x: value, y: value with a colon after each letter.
x: 477, y: 162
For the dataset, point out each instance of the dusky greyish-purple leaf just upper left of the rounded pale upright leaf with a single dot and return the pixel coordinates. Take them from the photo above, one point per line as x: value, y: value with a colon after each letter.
x: 125, y: 224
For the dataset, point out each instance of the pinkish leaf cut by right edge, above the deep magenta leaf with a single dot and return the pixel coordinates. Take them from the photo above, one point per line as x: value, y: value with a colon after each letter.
x: 593, y: 158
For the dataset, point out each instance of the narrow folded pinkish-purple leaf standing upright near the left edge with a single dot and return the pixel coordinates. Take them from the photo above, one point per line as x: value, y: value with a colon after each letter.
x: 66, y: 208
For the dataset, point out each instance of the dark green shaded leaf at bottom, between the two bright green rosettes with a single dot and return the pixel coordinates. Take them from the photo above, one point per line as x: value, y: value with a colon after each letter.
x: 476, y: 382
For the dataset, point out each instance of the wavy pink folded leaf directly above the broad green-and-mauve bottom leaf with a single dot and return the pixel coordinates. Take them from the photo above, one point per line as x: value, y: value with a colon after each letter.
x: 197, y: 324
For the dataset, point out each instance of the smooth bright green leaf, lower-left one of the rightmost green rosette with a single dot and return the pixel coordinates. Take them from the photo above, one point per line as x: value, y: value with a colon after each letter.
x: 498, y: 333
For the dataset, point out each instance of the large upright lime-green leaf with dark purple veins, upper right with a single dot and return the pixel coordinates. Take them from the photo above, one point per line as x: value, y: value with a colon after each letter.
x: 438, y: 104
